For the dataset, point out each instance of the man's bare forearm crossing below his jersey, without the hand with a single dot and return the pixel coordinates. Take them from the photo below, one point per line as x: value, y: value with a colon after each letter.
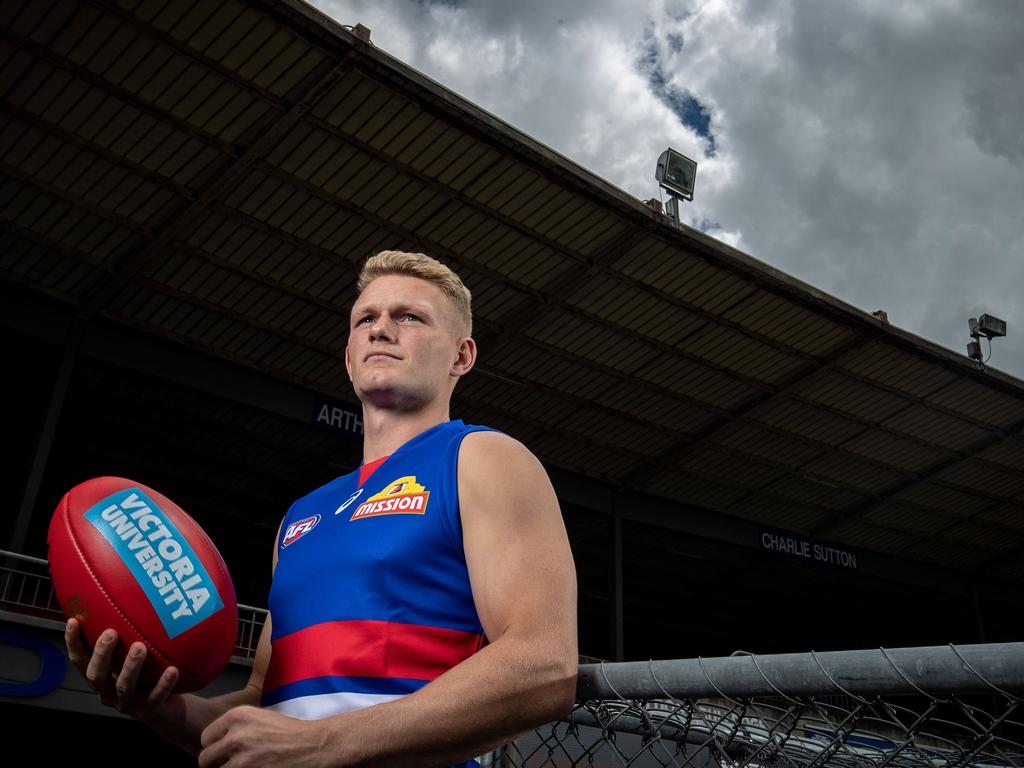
x: 505, y: 690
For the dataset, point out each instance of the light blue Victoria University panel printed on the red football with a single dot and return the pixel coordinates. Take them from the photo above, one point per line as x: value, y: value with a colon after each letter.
x: 159, y: 557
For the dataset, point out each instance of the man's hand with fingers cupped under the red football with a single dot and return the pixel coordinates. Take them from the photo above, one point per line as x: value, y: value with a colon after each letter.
x: 120, y: 689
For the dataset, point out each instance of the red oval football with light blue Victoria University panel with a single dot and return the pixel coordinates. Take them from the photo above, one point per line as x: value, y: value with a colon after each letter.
x: 126, y: 558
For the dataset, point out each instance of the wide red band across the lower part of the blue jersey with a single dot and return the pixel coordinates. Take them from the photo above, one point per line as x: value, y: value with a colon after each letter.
x: 368, y: 650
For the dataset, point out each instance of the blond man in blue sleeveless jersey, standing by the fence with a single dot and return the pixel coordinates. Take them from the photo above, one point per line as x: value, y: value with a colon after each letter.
x: 494, y: 538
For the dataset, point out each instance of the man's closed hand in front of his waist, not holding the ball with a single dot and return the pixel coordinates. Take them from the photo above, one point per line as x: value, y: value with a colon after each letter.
x: 251, y: 737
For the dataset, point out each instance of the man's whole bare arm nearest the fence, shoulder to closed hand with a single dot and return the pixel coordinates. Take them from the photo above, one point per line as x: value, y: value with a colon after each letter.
x: 524, y: 583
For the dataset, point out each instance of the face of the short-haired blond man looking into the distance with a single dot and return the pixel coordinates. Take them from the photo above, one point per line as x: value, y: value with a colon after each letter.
x: 402, y: 344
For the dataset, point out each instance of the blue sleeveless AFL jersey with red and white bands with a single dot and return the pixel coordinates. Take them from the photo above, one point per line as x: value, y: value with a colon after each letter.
x: 371, y: 598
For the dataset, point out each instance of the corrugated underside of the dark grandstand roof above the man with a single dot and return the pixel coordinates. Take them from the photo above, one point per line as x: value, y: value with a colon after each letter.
x: 214, y: 175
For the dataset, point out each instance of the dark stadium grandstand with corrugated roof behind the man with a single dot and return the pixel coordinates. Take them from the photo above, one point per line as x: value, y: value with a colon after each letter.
x: 744, y: 462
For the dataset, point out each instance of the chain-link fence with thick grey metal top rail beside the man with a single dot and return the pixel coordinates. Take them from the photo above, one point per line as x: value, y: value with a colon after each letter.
x: 934, y: 708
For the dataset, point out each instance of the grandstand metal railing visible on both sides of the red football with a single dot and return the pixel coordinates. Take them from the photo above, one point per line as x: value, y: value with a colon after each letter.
x: 26, y: 589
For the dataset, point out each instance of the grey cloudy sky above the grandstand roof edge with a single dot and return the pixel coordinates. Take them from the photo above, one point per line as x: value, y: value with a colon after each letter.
x: 874, y: 149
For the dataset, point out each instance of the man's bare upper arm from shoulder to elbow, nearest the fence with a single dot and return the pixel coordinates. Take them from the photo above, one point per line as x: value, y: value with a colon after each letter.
x: 518, y: 551
